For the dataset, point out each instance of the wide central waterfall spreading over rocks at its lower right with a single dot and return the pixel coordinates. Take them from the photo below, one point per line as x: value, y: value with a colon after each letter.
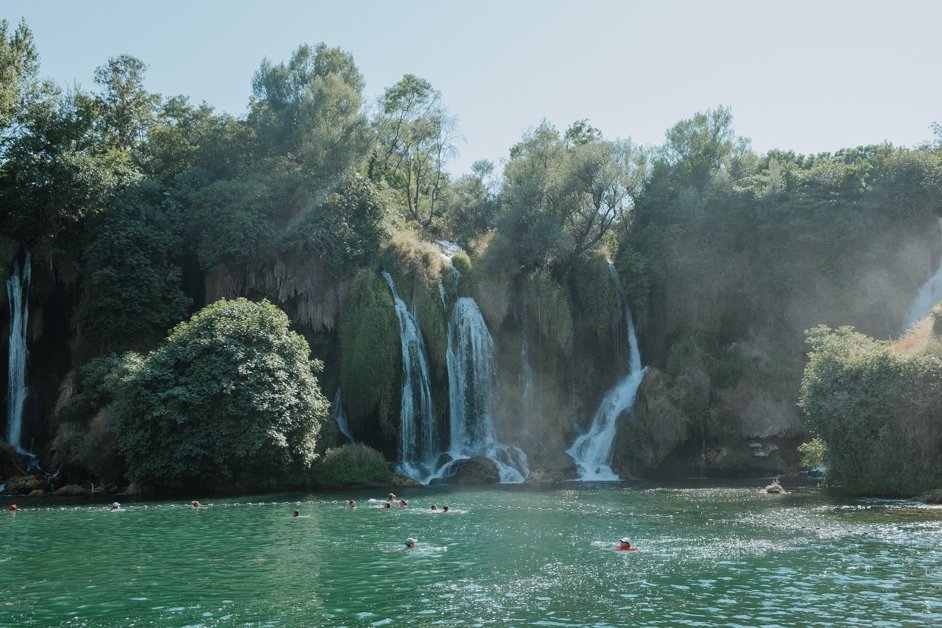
x: 471, y: 375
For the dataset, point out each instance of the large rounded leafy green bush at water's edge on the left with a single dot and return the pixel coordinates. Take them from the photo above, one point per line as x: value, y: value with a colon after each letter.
x: 229, y: 401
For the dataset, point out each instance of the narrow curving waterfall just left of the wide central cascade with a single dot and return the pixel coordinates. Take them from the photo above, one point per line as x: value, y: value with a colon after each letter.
x: 417, y: 432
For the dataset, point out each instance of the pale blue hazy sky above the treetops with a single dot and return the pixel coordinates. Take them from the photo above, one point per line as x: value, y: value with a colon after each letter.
x: 809, y: 76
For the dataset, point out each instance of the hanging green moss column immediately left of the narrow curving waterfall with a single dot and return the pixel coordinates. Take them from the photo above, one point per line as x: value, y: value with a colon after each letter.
x: 369, y: 355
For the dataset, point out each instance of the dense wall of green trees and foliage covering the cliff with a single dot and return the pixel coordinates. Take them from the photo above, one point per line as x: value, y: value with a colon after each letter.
x: 139, y: 210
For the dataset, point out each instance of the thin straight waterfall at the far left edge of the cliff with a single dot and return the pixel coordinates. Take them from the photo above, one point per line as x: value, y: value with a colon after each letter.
x: 18, y: 297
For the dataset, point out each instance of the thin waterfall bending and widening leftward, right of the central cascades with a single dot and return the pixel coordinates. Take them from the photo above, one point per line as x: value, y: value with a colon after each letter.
x: 592, y: 451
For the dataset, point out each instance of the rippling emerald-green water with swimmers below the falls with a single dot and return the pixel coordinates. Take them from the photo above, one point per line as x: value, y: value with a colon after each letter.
x: 506, y: 555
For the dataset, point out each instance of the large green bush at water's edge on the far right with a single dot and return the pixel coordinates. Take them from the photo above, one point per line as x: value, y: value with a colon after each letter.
x: 868, y: 404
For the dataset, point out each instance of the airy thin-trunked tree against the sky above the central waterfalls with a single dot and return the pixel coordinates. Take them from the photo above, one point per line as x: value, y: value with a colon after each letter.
x: 415, y: 140
